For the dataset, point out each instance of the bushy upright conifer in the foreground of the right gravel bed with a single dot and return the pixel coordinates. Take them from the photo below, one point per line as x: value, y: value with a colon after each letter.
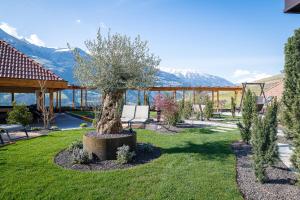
x: 263, y: 141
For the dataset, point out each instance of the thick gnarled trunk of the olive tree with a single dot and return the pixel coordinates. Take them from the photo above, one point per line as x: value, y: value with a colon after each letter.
x: 110, y: 122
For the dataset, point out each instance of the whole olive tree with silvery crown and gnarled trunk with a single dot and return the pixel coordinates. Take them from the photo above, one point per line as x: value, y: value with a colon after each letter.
x: 115, y: 63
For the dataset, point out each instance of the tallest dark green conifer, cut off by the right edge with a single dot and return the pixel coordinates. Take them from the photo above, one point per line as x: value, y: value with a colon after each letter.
x: 291, y: 95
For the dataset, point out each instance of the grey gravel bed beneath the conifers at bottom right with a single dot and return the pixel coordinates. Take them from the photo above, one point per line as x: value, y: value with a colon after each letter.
x: 280, y: 185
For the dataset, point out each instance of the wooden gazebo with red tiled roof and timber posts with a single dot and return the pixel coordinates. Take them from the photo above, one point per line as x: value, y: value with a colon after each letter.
x: 21, y: 74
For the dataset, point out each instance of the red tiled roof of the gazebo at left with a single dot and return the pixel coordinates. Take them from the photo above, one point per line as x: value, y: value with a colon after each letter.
x: 15, y: 64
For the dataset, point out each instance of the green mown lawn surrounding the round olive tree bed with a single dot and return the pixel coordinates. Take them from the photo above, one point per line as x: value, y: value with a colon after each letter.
x: 195, y: 164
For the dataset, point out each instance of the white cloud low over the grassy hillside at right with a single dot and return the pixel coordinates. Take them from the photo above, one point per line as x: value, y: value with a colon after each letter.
x: 242, y: 75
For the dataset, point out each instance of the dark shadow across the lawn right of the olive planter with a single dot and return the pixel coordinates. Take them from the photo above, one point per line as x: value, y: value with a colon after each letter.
x: 217, y: 150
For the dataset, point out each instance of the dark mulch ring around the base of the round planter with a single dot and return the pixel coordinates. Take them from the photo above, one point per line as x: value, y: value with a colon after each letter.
x: 64, y: 159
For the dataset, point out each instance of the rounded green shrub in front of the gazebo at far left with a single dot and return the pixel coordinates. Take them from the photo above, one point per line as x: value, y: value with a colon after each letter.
x: 19, y: 115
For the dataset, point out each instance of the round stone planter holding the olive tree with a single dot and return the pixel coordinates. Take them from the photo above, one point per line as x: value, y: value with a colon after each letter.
x: 104, y: 147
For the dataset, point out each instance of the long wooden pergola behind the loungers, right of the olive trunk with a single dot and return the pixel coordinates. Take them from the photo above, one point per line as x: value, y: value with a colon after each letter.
x: 174, y: 90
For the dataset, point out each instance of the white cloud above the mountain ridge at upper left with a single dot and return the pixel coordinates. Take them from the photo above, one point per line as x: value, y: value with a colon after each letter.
x: 33, y: 38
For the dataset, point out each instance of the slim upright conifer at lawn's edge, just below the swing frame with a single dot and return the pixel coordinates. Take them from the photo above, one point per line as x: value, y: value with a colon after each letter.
x: 249, y: 109
